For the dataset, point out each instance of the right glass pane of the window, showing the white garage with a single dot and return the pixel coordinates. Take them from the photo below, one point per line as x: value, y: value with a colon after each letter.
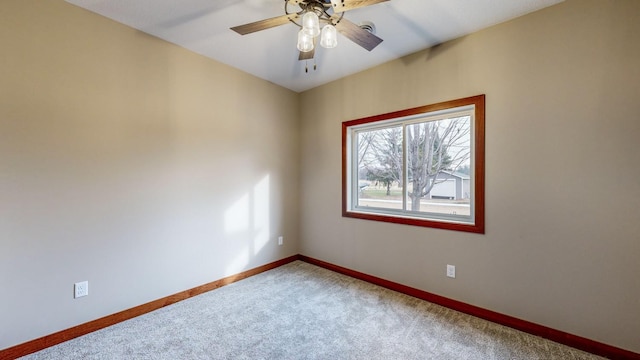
x: 439, y: 166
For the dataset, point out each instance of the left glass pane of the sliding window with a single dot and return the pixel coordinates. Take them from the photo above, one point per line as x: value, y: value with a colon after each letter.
x: 380, y: 168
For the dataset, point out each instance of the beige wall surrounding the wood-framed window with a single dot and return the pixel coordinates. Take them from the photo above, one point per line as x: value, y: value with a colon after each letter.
x: 562, y: 242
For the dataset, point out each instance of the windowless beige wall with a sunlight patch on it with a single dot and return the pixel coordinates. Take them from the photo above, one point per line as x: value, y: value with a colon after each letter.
x: 131, y: 163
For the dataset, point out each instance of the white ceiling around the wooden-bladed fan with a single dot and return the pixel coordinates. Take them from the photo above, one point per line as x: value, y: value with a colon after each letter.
x: 406, y: 26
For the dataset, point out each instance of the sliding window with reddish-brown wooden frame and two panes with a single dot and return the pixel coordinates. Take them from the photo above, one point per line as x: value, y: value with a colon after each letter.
x: 422, y: 166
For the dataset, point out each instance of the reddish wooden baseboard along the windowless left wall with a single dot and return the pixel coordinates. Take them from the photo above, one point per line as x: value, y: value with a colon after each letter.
x: 83, y: 329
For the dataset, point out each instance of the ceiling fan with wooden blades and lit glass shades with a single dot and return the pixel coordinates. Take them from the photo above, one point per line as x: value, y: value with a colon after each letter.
x: 310, y: 14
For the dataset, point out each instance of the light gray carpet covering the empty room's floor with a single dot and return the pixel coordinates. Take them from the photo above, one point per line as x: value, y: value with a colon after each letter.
x: 300, y: 311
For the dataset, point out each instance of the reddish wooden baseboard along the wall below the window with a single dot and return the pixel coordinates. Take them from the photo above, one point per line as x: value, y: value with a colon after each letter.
x: 558, y: 336
